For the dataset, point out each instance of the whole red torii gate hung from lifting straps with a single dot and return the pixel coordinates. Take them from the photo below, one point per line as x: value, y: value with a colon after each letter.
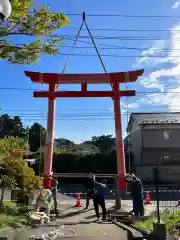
x: 53, y: 79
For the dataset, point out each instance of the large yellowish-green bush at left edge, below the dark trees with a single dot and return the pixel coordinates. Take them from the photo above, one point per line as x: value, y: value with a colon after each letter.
x: 14, y: 171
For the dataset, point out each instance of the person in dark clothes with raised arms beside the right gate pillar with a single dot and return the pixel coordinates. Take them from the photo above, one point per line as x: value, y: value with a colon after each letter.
x: 136, y: 193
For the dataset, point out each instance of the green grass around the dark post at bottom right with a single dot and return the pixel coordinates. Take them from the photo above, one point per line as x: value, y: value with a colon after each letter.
x: 170, y: 219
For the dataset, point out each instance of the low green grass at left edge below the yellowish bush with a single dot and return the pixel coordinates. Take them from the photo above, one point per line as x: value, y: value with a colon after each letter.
x: 10, y: 216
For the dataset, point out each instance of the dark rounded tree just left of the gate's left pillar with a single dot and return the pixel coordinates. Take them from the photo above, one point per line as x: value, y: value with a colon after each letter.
x: 37, y: 136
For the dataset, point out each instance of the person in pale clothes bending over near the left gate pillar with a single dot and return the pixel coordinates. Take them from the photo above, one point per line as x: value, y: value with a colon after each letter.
x: 44, y: 200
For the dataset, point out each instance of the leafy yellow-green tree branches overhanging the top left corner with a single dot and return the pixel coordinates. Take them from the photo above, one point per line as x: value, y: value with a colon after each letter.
x: 28, y: 20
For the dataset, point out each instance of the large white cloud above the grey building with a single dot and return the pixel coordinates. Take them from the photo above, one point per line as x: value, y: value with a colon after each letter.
x: 166, y: 78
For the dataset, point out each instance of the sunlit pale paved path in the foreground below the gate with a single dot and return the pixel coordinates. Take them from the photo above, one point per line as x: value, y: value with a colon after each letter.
x: 82, y: 223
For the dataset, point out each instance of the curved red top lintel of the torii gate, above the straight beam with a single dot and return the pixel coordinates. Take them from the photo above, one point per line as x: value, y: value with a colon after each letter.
x: 78, y: 78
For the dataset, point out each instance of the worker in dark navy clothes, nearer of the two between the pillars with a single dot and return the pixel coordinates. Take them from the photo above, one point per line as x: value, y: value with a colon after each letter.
x: 99, y: 198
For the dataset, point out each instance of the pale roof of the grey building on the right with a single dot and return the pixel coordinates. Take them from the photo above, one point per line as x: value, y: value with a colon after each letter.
x: 152, y: 116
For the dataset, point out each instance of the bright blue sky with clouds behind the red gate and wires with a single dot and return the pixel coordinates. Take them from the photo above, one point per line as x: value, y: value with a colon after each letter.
x: 162, y: 68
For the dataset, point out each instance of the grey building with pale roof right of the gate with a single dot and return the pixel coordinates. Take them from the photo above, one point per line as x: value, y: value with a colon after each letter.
x: 154, y: 139
